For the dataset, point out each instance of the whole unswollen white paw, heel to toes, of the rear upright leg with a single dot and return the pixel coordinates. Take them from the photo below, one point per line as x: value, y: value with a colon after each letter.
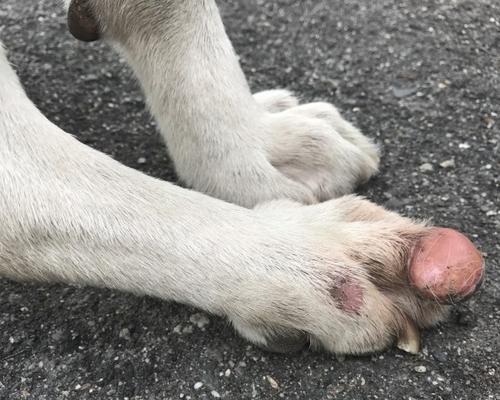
x: 305, y: 153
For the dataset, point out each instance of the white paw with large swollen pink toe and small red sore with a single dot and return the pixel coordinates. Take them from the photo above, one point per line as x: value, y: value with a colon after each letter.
x: 358, y: 279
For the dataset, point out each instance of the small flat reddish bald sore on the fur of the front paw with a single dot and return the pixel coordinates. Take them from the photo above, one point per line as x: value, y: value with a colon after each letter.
x: 347, y: 294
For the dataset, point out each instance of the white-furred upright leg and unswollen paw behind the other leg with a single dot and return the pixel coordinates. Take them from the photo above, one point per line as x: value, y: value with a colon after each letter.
x: 225, y: 142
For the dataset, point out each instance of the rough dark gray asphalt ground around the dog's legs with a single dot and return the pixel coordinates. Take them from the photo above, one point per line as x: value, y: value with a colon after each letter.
x: 422, y: 77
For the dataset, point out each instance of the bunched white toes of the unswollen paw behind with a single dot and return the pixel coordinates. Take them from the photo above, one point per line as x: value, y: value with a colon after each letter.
x: 313, y: 145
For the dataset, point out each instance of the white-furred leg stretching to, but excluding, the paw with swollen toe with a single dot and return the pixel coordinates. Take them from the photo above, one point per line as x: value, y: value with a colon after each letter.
x: 69, y: 213
